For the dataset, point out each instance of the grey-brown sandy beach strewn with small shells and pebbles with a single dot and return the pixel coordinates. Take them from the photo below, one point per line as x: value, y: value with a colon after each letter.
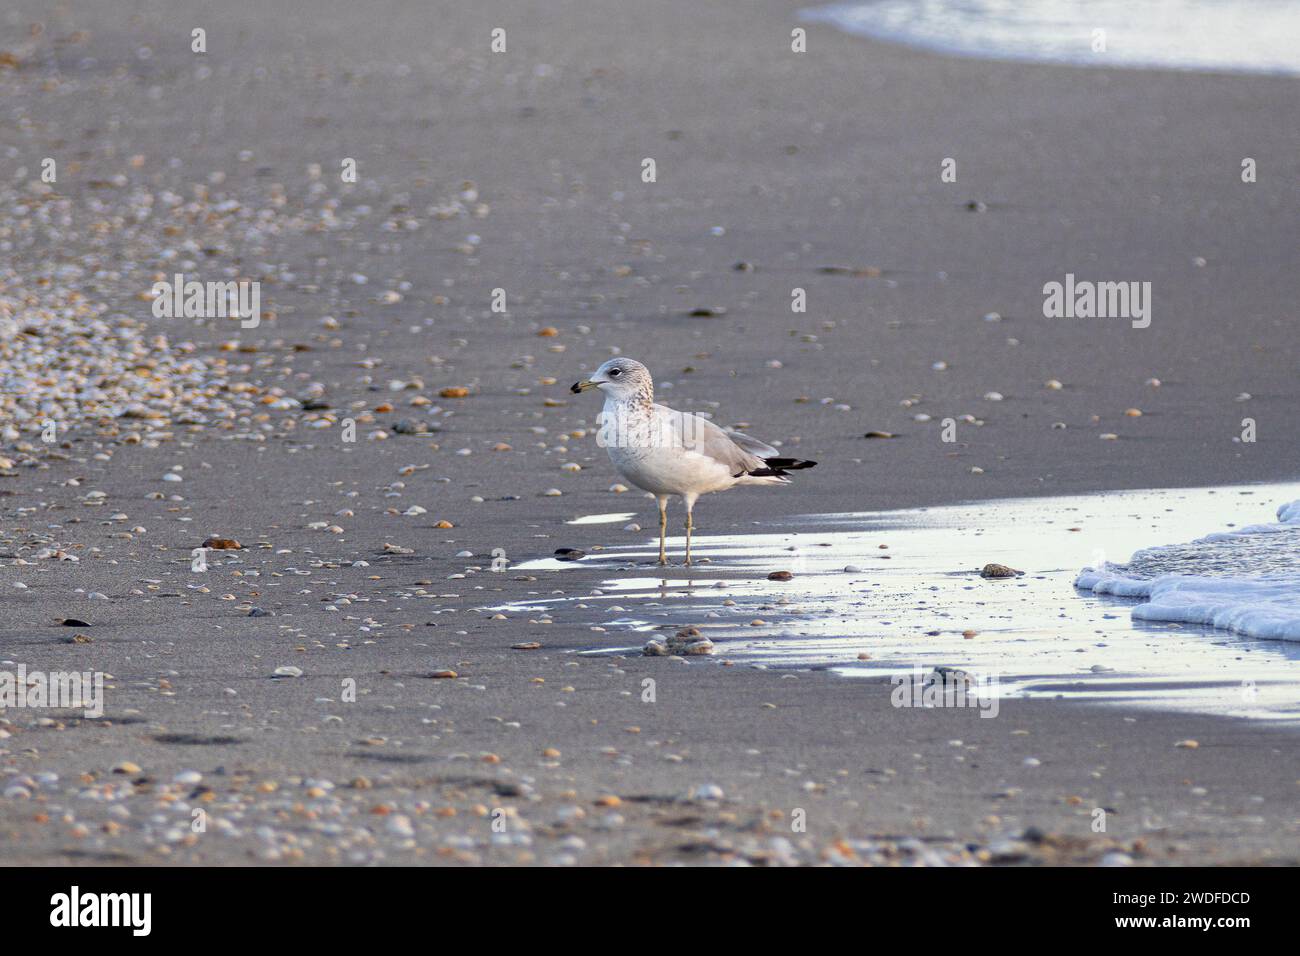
x: 346, y: 687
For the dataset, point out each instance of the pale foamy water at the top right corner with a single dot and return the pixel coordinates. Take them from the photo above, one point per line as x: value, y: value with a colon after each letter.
x: 1220, y: 36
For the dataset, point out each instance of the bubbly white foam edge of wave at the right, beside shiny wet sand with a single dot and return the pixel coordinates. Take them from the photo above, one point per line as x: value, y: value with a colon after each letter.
x: 1246, y: 581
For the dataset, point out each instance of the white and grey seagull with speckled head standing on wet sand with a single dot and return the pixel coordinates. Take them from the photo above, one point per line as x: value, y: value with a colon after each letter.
x: 668, y: 452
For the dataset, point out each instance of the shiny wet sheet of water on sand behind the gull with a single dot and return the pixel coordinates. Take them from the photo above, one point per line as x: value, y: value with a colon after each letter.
x: 913, y: 594
